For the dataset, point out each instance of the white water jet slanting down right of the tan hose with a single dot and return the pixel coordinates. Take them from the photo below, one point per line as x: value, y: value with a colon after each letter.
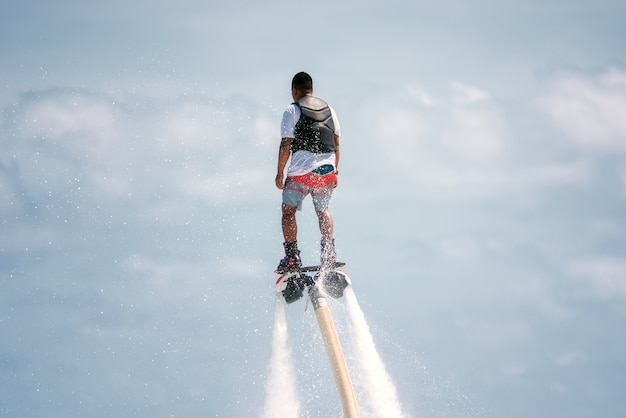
x: 381, y: 396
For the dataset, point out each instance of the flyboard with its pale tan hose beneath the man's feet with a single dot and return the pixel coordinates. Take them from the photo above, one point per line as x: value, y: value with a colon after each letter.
x: 291, y: 285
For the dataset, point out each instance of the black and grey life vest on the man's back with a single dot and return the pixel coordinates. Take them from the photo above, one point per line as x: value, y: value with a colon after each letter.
x: 315, y: 130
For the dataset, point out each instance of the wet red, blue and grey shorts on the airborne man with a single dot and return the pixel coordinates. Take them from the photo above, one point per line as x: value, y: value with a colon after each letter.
x: 319, y: 186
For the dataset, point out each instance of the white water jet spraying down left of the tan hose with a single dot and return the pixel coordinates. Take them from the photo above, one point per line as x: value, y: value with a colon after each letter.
x: 281, y: 397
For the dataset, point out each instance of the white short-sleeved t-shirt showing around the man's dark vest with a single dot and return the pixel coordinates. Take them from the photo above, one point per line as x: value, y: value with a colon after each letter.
x: 303, y: 162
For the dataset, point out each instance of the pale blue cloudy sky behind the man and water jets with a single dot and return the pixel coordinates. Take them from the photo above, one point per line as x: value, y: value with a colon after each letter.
x: 480, y: 210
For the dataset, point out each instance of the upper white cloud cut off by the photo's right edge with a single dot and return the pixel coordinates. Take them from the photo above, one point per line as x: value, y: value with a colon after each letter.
x: 590, y: 110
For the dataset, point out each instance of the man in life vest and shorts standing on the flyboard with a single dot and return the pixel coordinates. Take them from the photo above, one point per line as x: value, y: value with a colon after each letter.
x: 310, y: 136
